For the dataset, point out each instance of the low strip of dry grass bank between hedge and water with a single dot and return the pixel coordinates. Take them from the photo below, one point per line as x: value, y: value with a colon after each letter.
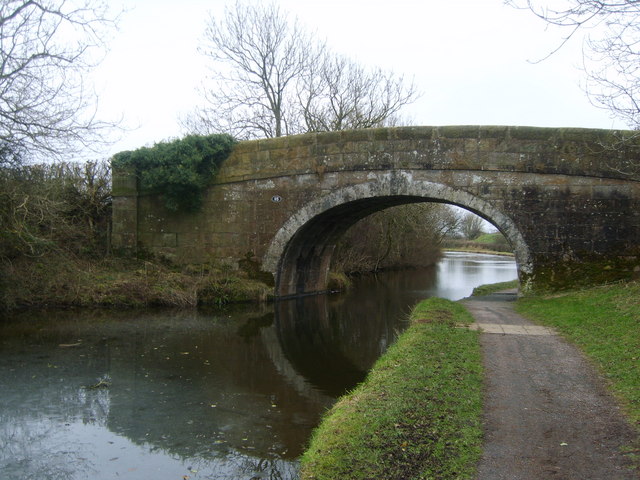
x: 62, y: 280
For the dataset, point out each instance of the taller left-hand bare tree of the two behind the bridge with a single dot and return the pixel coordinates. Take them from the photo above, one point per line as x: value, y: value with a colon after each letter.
x: 258, y: 55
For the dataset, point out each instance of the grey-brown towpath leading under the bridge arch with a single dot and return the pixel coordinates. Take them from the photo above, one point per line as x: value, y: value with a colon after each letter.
x: 547, y: 415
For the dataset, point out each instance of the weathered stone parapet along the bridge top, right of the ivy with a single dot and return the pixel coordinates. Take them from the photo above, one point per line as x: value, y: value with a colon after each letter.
x: 568, y: 151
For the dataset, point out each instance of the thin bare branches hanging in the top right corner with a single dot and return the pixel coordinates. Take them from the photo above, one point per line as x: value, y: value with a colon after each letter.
x: 611, y: 49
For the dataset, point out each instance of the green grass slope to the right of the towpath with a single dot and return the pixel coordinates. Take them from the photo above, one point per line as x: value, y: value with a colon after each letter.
x: 605, y: 323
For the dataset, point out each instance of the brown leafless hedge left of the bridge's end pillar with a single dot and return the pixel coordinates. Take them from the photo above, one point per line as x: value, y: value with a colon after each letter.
x: 53, y: 207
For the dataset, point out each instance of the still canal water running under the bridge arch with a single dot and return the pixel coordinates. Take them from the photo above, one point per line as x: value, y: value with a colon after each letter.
x: 220, y: 394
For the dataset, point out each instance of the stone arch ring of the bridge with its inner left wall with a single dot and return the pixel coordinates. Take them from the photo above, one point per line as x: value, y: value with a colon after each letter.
x: 300, y: 253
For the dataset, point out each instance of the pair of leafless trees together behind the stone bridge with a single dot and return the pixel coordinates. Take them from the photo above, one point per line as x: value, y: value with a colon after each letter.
x: 273, y: 78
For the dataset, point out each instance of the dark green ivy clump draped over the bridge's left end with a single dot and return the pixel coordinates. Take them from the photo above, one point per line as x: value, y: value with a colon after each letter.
x: 180, y: 169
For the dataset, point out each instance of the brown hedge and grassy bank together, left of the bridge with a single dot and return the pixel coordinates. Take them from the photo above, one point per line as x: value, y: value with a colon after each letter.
x: 55, y: 252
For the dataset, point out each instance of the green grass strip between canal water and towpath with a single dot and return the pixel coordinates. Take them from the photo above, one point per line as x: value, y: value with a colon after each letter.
x: 417, y: 415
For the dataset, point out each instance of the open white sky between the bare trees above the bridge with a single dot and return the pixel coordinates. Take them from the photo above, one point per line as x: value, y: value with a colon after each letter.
x: 470, y: 58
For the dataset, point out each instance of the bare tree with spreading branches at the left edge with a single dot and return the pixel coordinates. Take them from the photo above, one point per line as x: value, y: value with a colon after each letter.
x: 46, y: 47
